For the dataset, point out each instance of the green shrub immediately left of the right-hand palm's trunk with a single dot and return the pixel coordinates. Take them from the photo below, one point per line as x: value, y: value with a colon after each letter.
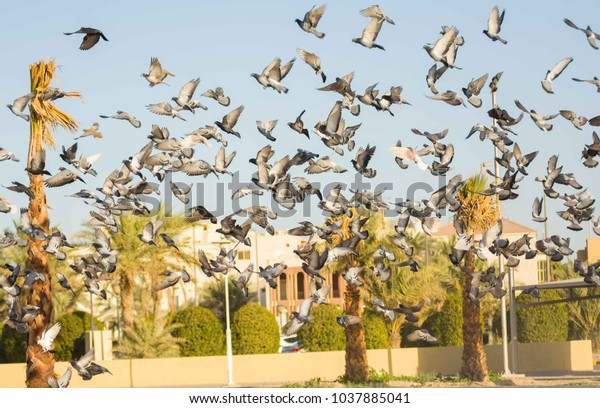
x: 446, y: 325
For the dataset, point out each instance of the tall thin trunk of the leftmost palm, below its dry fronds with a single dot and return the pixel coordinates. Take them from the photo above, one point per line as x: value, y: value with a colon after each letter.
x: 40, y: 365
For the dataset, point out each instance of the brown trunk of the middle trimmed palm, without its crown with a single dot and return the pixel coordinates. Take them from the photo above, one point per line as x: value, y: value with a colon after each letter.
x: 357, y: 367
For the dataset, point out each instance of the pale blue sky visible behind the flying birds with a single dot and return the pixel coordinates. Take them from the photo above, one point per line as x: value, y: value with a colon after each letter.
x: 223, y: 42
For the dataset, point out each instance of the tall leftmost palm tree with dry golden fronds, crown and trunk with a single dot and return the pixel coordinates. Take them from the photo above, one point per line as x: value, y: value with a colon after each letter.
x: 44, y: 116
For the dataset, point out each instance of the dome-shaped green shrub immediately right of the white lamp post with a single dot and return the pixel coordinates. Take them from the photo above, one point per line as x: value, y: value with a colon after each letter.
x: 254, y: 330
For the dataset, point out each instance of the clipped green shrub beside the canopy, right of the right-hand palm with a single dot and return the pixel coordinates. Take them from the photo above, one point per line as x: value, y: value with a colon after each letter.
x: 542, y: 324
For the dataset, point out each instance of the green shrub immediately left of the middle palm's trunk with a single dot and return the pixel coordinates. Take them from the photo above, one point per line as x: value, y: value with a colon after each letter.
x: 323, y: 334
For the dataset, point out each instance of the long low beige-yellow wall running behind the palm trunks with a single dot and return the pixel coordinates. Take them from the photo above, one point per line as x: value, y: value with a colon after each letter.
x: 300, y: 367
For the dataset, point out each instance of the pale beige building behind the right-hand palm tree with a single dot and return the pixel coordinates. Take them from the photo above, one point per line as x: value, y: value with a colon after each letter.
x: 529, y: 271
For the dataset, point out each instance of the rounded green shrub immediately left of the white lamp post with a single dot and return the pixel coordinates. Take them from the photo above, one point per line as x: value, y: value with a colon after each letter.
x: 201, y: 332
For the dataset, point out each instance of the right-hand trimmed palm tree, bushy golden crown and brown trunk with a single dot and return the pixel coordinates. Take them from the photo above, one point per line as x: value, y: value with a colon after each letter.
x: 477, y: 213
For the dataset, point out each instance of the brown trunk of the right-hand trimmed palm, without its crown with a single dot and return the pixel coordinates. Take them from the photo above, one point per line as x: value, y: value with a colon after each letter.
x: 474, y: 362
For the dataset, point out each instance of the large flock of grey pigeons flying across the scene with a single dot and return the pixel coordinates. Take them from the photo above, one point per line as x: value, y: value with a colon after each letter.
x: 119, y: 193
